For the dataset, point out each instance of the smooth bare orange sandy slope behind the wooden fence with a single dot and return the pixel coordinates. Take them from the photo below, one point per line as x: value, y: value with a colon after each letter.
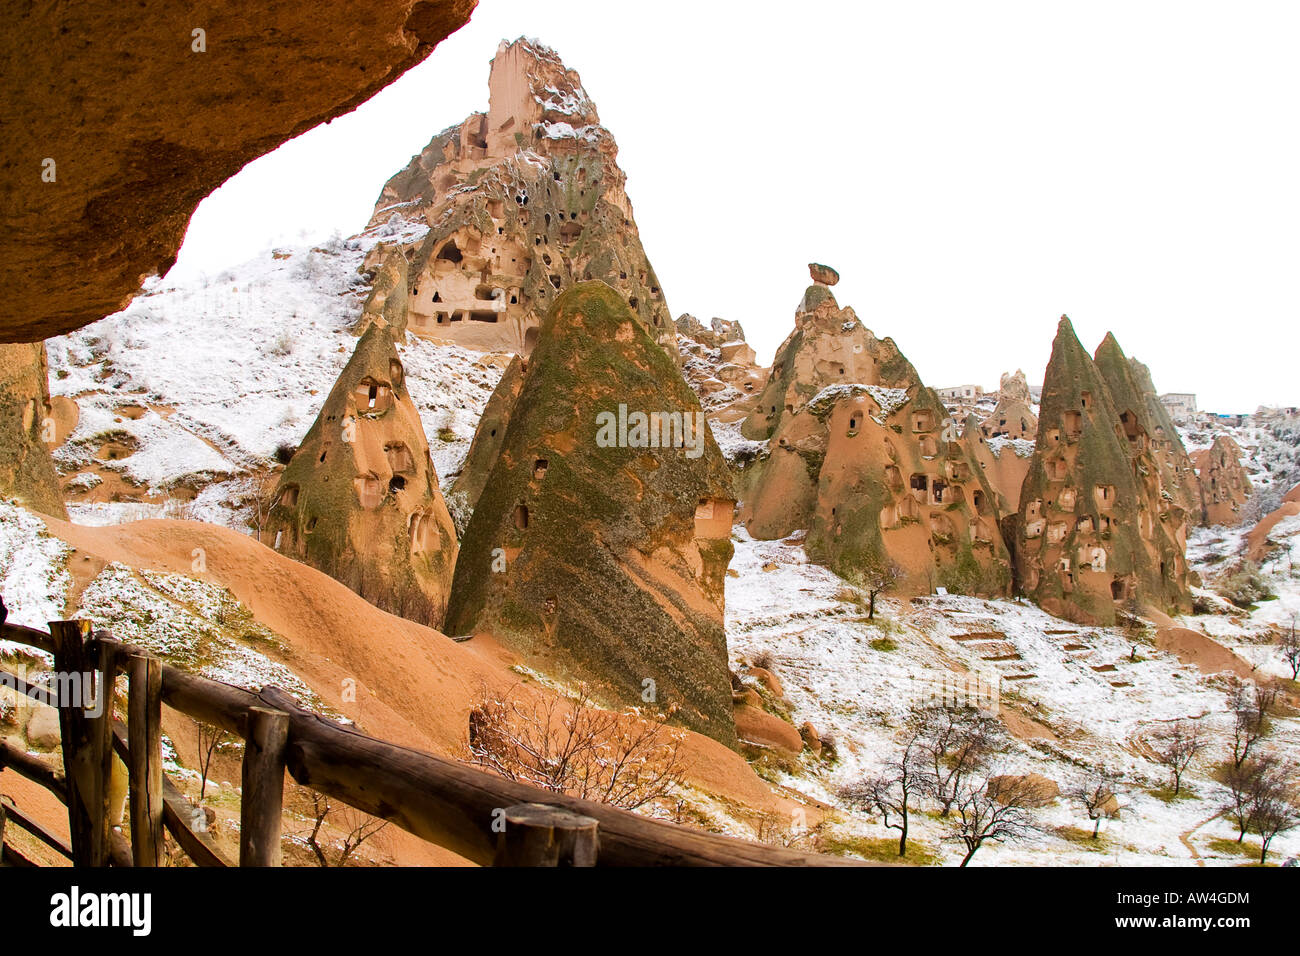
x: 414, y: 685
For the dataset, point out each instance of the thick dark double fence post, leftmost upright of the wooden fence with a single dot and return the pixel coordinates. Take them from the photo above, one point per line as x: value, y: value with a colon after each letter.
x: 81, y: 661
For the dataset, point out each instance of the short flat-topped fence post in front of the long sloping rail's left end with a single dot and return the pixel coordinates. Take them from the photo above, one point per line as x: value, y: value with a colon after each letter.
x: 262, y: 806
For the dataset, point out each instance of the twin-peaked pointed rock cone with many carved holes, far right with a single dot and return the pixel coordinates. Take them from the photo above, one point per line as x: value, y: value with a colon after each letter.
x: 1098, y: 531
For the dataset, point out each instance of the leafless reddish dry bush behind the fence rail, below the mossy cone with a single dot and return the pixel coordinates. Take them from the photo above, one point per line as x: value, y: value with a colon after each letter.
x: 570, y: 746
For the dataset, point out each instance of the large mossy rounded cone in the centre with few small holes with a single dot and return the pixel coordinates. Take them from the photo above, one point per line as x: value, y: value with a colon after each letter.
x: 600, y: 546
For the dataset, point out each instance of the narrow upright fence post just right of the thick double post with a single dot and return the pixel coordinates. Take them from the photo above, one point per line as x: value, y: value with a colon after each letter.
x: 145, y: 749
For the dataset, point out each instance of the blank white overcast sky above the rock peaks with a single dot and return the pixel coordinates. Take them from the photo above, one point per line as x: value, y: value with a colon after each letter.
x: 973, y: 171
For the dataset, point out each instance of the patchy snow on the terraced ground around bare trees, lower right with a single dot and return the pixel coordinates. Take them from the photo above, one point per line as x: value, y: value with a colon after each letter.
x: 1074, y: 698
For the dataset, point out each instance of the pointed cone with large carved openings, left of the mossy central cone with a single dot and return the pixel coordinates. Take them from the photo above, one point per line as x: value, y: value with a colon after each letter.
x: 361, y: 500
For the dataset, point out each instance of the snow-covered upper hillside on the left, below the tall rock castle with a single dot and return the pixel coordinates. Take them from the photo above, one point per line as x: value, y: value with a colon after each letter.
x: 196, y: 386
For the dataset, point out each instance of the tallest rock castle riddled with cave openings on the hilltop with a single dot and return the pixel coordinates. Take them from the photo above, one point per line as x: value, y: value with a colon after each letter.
x: 505, y: 211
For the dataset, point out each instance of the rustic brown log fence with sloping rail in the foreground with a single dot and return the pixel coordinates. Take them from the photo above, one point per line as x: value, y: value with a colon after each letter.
x: 483, y: 817
